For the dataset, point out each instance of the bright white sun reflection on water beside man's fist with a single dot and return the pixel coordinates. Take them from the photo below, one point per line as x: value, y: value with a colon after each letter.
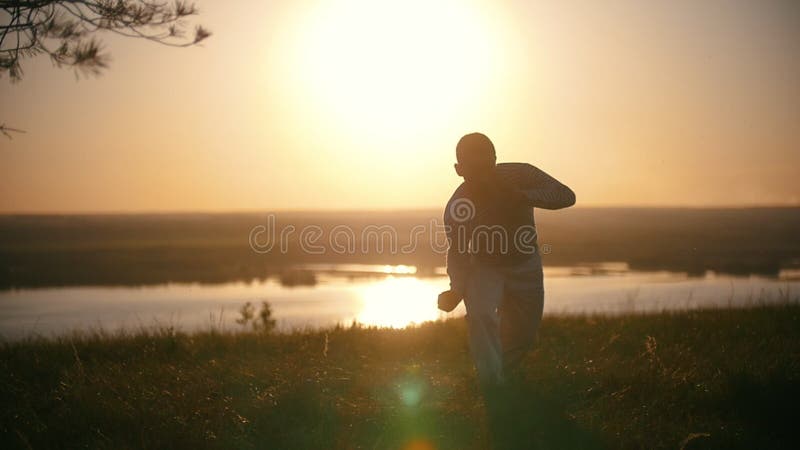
x: 397, y: 302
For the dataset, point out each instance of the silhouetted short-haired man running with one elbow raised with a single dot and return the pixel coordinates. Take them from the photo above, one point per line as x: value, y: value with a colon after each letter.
x: 493, y: 259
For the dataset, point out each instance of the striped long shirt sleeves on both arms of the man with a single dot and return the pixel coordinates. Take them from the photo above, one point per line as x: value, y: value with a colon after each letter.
x: 531, y: 187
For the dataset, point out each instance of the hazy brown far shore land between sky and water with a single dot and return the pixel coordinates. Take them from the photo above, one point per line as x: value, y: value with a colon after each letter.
x: 134, y: 249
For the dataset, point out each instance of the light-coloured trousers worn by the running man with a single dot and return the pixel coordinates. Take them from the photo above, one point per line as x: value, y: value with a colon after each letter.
x: 504, y: 310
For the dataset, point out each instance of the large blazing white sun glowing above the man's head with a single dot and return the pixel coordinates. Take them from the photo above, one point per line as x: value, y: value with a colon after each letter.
x: 385, y: 66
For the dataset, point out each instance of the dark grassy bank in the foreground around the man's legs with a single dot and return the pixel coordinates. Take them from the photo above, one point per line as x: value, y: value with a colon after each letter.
x: 694, y: 379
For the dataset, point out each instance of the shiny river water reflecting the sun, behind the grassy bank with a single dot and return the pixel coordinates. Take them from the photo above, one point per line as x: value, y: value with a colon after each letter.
x: 387, y: 296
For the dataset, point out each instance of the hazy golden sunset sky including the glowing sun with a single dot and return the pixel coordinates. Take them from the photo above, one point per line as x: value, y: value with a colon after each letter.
x: 359, y: 105
